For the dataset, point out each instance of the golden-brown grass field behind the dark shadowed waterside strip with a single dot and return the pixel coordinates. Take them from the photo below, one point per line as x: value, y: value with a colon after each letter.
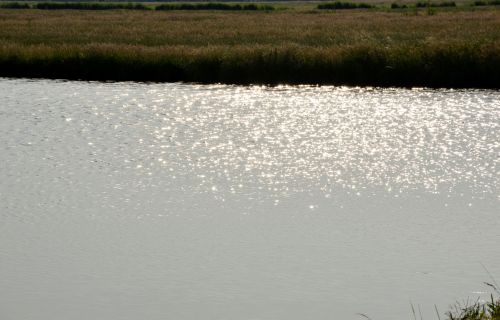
x: 277, y: 29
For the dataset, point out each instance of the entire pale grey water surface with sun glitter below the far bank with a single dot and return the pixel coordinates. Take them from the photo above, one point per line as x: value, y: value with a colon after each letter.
x: 174, y: 201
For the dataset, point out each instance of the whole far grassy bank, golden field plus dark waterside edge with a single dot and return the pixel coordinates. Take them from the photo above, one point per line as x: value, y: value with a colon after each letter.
x: 450, y: 49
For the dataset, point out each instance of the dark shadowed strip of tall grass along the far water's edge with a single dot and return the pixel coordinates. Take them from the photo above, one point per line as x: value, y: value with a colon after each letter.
x: 457, y: 66
